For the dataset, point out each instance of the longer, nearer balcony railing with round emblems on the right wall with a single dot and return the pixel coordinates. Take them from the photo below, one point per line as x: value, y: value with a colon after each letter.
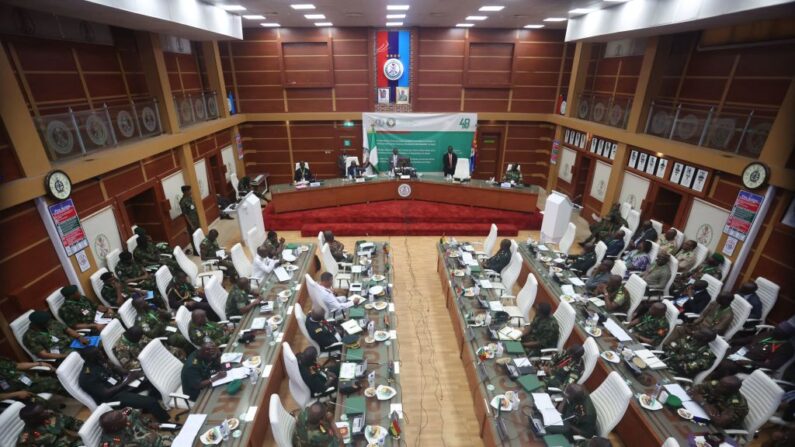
x: 731, y: 130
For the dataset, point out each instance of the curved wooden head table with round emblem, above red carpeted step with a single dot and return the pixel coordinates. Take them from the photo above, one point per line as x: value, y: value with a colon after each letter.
x: 428, y: 187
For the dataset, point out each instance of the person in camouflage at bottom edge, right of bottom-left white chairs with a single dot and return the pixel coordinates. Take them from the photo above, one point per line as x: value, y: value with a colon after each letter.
x: 128, y: 427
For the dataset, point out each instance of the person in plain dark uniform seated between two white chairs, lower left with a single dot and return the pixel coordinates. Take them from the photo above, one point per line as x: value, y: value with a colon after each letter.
x: 105, y: 382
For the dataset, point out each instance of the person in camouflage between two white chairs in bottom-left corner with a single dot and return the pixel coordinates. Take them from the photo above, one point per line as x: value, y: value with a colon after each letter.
x: 46, y: 428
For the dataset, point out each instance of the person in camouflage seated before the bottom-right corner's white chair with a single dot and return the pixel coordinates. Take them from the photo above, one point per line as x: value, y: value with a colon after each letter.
x: 722, y: 401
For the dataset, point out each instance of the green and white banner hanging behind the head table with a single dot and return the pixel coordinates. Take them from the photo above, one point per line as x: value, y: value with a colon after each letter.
x: 422, y: 137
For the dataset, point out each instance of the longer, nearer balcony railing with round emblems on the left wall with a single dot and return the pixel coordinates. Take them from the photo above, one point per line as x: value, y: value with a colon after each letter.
x: 77, y: 133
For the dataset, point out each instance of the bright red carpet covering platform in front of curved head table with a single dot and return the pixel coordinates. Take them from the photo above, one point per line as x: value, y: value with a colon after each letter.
x: 402, y: 217
